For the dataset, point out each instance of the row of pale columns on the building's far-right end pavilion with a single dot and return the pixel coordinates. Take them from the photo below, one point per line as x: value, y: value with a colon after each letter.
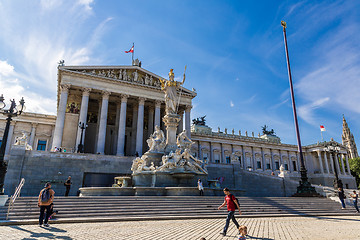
x: 337, y: 165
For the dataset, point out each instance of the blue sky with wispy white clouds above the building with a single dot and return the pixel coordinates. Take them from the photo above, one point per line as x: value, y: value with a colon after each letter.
x: 233, y: 50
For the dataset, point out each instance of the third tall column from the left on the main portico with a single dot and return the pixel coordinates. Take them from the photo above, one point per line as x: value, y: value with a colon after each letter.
x: 103, y: 121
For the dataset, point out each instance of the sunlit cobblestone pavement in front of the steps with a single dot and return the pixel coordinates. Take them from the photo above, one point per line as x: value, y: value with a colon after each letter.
x: 258, y: 228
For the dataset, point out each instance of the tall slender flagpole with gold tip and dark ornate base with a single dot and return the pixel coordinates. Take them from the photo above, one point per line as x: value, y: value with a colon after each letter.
x: 305, y: 188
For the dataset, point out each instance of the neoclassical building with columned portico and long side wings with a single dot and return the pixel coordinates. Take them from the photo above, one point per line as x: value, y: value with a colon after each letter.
x: 121, y: 105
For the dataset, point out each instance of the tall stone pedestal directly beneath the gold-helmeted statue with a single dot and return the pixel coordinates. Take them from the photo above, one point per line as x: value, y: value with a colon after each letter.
x: 171, y: 122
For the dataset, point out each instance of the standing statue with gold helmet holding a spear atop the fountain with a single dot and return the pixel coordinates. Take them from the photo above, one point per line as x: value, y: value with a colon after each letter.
x: 170, y: 88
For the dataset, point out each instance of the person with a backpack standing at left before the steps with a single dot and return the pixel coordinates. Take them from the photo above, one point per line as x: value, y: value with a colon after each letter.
x: 45, y: 200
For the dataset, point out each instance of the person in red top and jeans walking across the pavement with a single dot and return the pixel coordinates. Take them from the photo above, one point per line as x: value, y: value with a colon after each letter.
x: 232, y: 204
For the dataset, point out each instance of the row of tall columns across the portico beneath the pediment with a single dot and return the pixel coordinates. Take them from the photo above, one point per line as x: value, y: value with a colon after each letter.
x: 154, y: 119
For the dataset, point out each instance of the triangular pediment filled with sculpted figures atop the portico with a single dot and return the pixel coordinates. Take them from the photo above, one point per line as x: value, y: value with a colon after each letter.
x: 125, y: 74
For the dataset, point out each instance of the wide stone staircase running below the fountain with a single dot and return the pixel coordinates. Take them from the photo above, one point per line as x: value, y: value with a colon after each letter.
x: 132, y: 208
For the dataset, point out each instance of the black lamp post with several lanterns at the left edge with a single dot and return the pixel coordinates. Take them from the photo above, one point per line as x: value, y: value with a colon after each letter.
x: 13, y: 111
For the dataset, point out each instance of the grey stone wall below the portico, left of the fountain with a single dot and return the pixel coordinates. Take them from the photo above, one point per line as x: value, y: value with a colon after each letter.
x: 38, y: 167
